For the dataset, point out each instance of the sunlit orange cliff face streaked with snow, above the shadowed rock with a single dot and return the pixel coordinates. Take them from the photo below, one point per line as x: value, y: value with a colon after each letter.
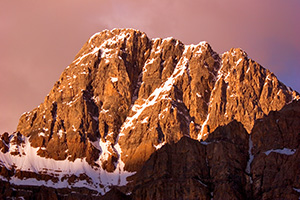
x: 124, y: 96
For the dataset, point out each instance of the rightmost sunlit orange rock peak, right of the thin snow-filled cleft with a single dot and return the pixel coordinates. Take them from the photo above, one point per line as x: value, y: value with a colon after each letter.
x: 245, y: 91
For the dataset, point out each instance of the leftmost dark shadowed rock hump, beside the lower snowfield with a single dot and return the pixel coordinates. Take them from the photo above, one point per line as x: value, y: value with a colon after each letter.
x: 174, y: 172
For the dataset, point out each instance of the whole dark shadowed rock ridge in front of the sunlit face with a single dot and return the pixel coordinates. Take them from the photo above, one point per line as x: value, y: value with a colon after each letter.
x: 229, y: 164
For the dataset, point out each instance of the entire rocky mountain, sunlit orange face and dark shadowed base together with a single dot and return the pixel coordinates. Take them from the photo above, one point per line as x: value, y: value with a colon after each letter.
x: 139, y: 118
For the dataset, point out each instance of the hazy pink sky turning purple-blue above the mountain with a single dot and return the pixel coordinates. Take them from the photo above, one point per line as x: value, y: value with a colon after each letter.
x: 38, y: 40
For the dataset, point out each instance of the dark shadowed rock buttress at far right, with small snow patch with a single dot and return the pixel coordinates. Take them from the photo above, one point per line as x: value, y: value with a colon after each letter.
x: 276, y: 149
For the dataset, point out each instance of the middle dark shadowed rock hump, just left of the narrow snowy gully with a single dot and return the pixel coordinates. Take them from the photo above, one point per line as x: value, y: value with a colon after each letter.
x: 227, y: 156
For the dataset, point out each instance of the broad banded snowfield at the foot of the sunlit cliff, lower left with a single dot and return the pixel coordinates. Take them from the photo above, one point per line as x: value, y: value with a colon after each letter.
x: 60, y: 168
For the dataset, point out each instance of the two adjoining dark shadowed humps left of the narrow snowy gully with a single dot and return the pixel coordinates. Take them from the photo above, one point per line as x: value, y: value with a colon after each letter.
x: 189, y: 169
